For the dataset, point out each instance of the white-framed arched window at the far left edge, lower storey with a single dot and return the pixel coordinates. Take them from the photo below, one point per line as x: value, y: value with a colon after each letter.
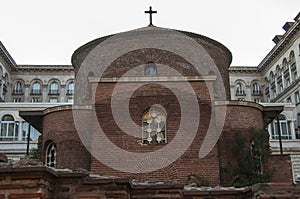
x: 9, y: 128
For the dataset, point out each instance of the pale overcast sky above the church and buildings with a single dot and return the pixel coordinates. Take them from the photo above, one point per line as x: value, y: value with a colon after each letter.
x: 48, y: 32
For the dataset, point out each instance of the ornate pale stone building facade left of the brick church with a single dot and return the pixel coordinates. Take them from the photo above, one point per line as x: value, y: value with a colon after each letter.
x: 28, y: 87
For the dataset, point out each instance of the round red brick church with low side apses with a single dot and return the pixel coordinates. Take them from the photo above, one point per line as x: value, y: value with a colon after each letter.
x: 151, y: 104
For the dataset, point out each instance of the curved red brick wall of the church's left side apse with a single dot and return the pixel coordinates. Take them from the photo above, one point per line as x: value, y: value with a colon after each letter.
x: 58, y: 127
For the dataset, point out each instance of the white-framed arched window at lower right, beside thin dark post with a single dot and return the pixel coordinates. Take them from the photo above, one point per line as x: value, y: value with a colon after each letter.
x: 285, y: 128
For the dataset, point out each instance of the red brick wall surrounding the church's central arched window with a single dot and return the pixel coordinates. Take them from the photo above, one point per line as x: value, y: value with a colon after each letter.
x: 141, y: 100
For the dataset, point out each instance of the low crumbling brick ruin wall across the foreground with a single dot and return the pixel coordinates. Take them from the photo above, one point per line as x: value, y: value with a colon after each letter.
x: 52, y: 184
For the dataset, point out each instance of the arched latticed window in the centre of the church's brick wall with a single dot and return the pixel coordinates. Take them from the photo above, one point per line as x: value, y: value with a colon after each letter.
x: 154, y: 127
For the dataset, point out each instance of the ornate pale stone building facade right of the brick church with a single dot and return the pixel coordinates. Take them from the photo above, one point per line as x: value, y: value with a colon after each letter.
x: 276, y: 80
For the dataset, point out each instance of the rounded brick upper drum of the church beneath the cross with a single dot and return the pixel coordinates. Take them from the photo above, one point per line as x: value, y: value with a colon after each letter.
x: 218, y: 53
